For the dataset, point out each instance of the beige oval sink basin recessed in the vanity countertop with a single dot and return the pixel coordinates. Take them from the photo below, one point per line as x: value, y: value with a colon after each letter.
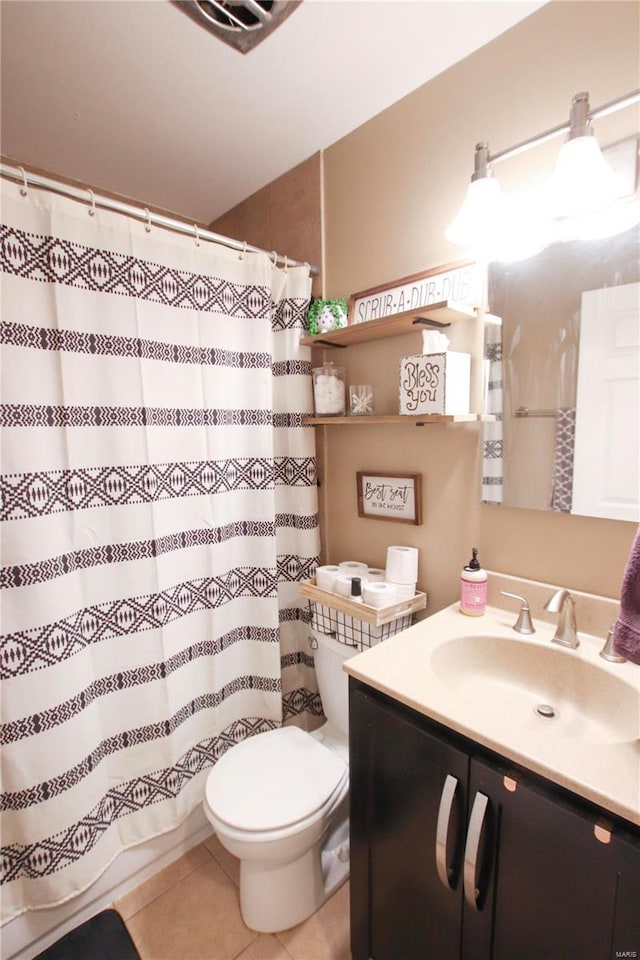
x: 513, y: 678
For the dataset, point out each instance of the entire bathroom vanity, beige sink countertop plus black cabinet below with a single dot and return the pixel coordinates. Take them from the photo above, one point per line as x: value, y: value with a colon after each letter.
x: 479, y: 828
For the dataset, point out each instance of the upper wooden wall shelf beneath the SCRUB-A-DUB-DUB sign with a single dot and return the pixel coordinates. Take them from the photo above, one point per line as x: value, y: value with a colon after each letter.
x: 441, y: 314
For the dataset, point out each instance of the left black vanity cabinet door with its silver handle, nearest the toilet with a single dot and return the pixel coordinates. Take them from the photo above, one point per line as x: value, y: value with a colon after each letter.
x: 408, y: 806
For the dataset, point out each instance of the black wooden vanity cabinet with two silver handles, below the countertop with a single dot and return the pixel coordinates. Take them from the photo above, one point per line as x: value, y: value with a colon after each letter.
x: 453, y: 857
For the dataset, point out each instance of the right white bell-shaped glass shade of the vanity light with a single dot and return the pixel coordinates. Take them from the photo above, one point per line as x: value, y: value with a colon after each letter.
x: 582, y: 181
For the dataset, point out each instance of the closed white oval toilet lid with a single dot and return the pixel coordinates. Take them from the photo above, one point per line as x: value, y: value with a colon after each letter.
x: 273, y: 779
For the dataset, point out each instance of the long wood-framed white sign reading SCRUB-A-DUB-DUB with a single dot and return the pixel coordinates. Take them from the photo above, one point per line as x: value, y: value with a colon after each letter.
x: 460, y: 283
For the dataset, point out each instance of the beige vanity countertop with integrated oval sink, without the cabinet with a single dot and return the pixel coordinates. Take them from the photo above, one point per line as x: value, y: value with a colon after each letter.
x: 478, y: 677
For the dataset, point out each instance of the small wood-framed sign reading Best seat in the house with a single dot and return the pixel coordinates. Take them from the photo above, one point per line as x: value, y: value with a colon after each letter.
x: 390, y: 496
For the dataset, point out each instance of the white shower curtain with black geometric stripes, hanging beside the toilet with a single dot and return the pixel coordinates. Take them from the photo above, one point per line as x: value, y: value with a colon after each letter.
x: 158, y: 502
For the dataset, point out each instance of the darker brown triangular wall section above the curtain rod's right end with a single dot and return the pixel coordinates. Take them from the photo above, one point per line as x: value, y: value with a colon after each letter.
x: 285, y: 216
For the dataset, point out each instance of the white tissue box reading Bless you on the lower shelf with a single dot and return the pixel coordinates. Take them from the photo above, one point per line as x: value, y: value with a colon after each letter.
x: 435, y: 383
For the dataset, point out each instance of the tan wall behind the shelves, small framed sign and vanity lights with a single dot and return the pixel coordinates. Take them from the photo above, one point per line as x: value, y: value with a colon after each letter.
x: 390, y: 188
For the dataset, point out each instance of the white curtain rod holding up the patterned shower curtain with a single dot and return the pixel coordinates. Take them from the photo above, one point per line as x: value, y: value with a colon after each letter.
x: 86, y: 195
